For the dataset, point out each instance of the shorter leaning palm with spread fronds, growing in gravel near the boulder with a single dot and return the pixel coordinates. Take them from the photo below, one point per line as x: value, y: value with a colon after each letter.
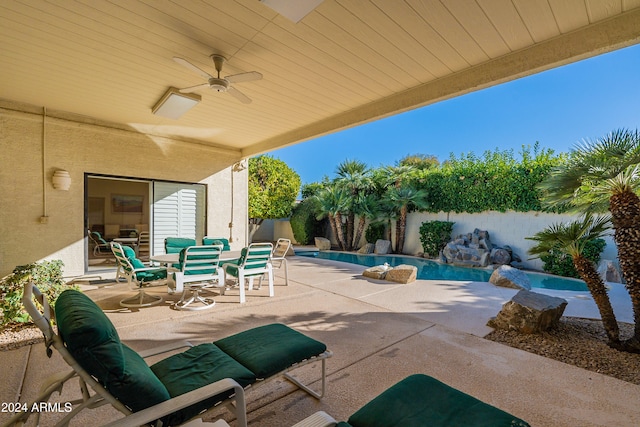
x: 571, y: 239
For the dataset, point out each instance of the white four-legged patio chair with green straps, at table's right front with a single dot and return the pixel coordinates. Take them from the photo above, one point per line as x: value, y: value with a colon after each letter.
x: 254, y: 262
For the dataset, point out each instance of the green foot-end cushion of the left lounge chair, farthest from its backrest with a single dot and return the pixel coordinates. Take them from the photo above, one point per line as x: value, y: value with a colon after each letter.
x: 269, y: 349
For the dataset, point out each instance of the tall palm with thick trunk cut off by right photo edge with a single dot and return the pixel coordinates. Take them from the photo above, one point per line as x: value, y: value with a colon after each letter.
x: 600, y: 175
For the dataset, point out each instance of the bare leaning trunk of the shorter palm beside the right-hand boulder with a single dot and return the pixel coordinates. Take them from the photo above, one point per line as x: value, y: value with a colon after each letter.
x: 590, y: 275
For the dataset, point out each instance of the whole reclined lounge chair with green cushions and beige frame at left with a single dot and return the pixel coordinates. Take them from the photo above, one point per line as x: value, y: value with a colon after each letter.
x: 174, y: 390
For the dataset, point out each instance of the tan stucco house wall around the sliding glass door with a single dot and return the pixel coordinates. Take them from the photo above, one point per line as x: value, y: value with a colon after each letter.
x: 27, y: 164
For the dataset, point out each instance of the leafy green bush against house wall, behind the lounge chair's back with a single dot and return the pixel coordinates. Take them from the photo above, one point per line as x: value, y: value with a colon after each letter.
x: 46, y: 275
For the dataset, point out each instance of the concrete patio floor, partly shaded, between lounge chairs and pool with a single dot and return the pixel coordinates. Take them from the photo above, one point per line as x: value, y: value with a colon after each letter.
x: 379, y: 333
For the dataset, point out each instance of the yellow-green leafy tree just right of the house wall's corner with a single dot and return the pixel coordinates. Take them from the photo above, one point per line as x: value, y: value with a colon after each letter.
x: 273, y: 188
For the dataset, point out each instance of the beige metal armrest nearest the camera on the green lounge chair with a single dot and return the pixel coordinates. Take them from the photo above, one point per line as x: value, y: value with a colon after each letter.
x: 170, y: 406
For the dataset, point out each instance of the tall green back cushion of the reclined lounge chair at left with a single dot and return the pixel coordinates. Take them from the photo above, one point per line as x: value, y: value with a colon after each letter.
x: 93, y: 341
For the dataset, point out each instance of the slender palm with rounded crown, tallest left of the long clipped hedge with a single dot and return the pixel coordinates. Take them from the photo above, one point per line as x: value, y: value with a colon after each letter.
x: 354, y: 177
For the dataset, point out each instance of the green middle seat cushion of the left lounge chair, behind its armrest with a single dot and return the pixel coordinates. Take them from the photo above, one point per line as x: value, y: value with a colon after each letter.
x: 199, y: 366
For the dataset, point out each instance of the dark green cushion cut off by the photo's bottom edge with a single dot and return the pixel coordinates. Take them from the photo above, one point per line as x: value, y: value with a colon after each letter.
x: 420, y: 401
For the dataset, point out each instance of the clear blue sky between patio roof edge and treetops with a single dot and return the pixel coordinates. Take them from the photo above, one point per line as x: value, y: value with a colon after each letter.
x: 558, y: 108
